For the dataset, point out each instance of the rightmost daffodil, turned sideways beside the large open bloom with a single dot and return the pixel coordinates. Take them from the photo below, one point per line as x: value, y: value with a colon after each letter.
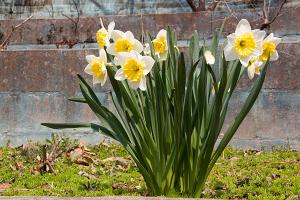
x: 269, y: 45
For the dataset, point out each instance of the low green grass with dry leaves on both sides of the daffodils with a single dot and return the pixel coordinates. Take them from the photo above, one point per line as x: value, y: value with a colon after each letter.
x: 237, y: 175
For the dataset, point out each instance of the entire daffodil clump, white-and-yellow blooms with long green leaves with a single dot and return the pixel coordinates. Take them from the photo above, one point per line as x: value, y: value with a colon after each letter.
x: 167, y: 115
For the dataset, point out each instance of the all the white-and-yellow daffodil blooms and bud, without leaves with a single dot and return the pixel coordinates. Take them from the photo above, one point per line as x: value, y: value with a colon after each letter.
x: 250, y: 47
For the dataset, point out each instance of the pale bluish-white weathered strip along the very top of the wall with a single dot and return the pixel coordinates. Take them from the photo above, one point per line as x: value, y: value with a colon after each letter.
x: 56, y: 8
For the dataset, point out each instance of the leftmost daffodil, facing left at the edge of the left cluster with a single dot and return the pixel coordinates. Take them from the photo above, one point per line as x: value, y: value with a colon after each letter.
x: 97, y: 67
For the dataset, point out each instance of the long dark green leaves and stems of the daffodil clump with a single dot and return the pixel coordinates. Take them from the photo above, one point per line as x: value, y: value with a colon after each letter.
x: 171, y: 129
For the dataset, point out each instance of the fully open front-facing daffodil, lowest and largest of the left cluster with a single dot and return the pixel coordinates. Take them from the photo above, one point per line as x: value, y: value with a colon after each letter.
x: 134, y: 68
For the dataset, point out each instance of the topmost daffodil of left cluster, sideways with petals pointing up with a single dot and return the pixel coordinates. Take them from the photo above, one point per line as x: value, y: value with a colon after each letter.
x: 103, y: 36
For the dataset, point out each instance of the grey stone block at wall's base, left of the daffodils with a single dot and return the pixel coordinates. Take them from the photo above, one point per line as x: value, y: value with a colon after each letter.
x: 26, y: 111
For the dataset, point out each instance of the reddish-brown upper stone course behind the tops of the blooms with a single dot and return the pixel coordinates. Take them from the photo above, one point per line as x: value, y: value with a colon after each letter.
x: 51, y: 31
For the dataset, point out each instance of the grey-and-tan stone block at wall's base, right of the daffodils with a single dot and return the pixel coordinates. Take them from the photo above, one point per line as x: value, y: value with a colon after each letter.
x: 275, y: 115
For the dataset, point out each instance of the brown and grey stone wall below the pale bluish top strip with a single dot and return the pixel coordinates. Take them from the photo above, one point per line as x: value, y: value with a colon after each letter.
x: 36, y: 78
